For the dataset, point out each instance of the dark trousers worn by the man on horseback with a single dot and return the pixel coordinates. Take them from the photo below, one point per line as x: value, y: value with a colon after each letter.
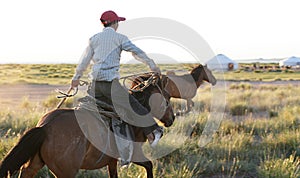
x: 126, y: 106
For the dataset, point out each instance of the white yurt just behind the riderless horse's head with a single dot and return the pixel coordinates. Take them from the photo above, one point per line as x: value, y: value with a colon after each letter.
x: 222, y: 63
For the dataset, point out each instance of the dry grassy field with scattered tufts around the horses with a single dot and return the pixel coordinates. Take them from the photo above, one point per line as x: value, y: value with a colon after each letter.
x: 259, y: 135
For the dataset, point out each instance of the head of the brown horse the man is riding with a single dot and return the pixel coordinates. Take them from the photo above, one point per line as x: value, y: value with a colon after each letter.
x: 150, y: 91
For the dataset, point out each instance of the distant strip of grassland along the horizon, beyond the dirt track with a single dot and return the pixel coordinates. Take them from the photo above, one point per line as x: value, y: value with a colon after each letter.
x: 62, y: 73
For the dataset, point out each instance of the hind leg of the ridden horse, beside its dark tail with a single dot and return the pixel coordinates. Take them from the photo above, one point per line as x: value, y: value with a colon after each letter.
x: 30, y: 169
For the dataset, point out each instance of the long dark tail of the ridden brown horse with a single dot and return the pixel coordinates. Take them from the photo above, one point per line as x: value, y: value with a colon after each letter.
x: 29, y: 144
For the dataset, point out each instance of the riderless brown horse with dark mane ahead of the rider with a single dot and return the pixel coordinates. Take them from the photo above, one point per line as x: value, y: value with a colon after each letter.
x: 185, y: 86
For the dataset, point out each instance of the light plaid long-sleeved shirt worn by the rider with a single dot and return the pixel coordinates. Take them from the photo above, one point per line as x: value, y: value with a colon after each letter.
x: 104, y: 50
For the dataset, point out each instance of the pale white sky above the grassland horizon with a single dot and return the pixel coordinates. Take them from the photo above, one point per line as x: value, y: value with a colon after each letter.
x: 57, y: 31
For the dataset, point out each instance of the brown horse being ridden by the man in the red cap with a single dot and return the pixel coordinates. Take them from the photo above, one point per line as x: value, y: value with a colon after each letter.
x: 64, y: 140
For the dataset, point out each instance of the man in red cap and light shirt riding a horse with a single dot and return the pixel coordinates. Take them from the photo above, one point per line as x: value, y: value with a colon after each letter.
x: 104, y: 50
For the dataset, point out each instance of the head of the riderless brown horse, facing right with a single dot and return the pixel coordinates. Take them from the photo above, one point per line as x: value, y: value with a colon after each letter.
x: 202, y: 73
